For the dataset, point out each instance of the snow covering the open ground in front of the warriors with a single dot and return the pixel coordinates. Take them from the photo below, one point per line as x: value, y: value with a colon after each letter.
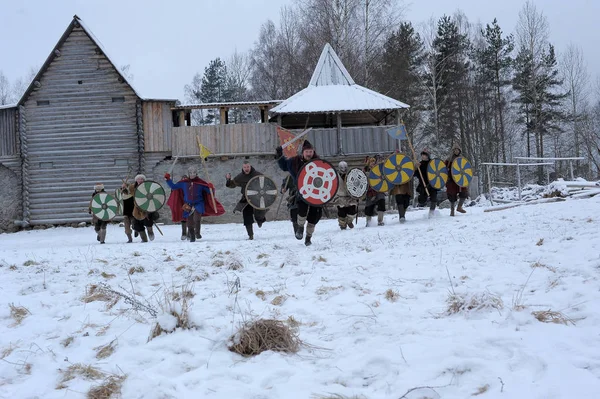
x: 544, y: 257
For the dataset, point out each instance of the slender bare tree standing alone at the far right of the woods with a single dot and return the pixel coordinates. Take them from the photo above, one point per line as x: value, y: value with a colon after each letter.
x: 576, y: 82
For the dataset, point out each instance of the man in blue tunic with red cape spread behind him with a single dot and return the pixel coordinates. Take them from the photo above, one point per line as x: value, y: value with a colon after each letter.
x: 194, y: 189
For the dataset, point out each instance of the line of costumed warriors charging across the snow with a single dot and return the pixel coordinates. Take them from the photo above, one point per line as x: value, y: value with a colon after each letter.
x: 193, y: 198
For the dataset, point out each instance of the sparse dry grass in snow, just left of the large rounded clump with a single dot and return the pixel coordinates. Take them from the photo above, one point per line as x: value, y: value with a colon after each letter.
x: 176, y: 304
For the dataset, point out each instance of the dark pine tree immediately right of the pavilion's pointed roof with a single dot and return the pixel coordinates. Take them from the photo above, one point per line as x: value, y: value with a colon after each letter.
x: 399, y: 74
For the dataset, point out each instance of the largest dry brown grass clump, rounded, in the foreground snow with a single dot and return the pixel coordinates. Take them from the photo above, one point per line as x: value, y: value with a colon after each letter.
x: 263, y: 335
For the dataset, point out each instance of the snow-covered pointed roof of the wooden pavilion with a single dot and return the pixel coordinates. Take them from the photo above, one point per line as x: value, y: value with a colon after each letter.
x: 332, y: 89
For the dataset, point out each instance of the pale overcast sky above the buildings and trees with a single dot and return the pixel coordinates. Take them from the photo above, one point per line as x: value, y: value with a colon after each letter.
x: 166, y: 43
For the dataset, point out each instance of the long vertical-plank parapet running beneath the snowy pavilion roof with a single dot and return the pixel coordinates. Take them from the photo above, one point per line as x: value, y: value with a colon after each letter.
x: 262, y: 139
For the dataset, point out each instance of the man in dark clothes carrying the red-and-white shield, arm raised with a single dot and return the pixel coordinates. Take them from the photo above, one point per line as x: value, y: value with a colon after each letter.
x: 306, y: 213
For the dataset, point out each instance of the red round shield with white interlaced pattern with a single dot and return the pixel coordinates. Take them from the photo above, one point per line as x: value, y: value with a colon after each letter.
x: 317, y: 182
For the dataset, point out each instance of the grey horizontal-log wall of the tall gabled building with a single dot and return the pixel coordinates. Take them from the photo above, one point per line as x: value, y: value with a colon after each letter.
x: 76, y: 133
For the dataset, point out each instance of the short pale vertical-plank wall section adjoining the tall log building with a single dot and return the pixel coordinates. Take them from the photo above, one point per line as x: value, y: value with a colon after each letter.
x: 158, y: 126
